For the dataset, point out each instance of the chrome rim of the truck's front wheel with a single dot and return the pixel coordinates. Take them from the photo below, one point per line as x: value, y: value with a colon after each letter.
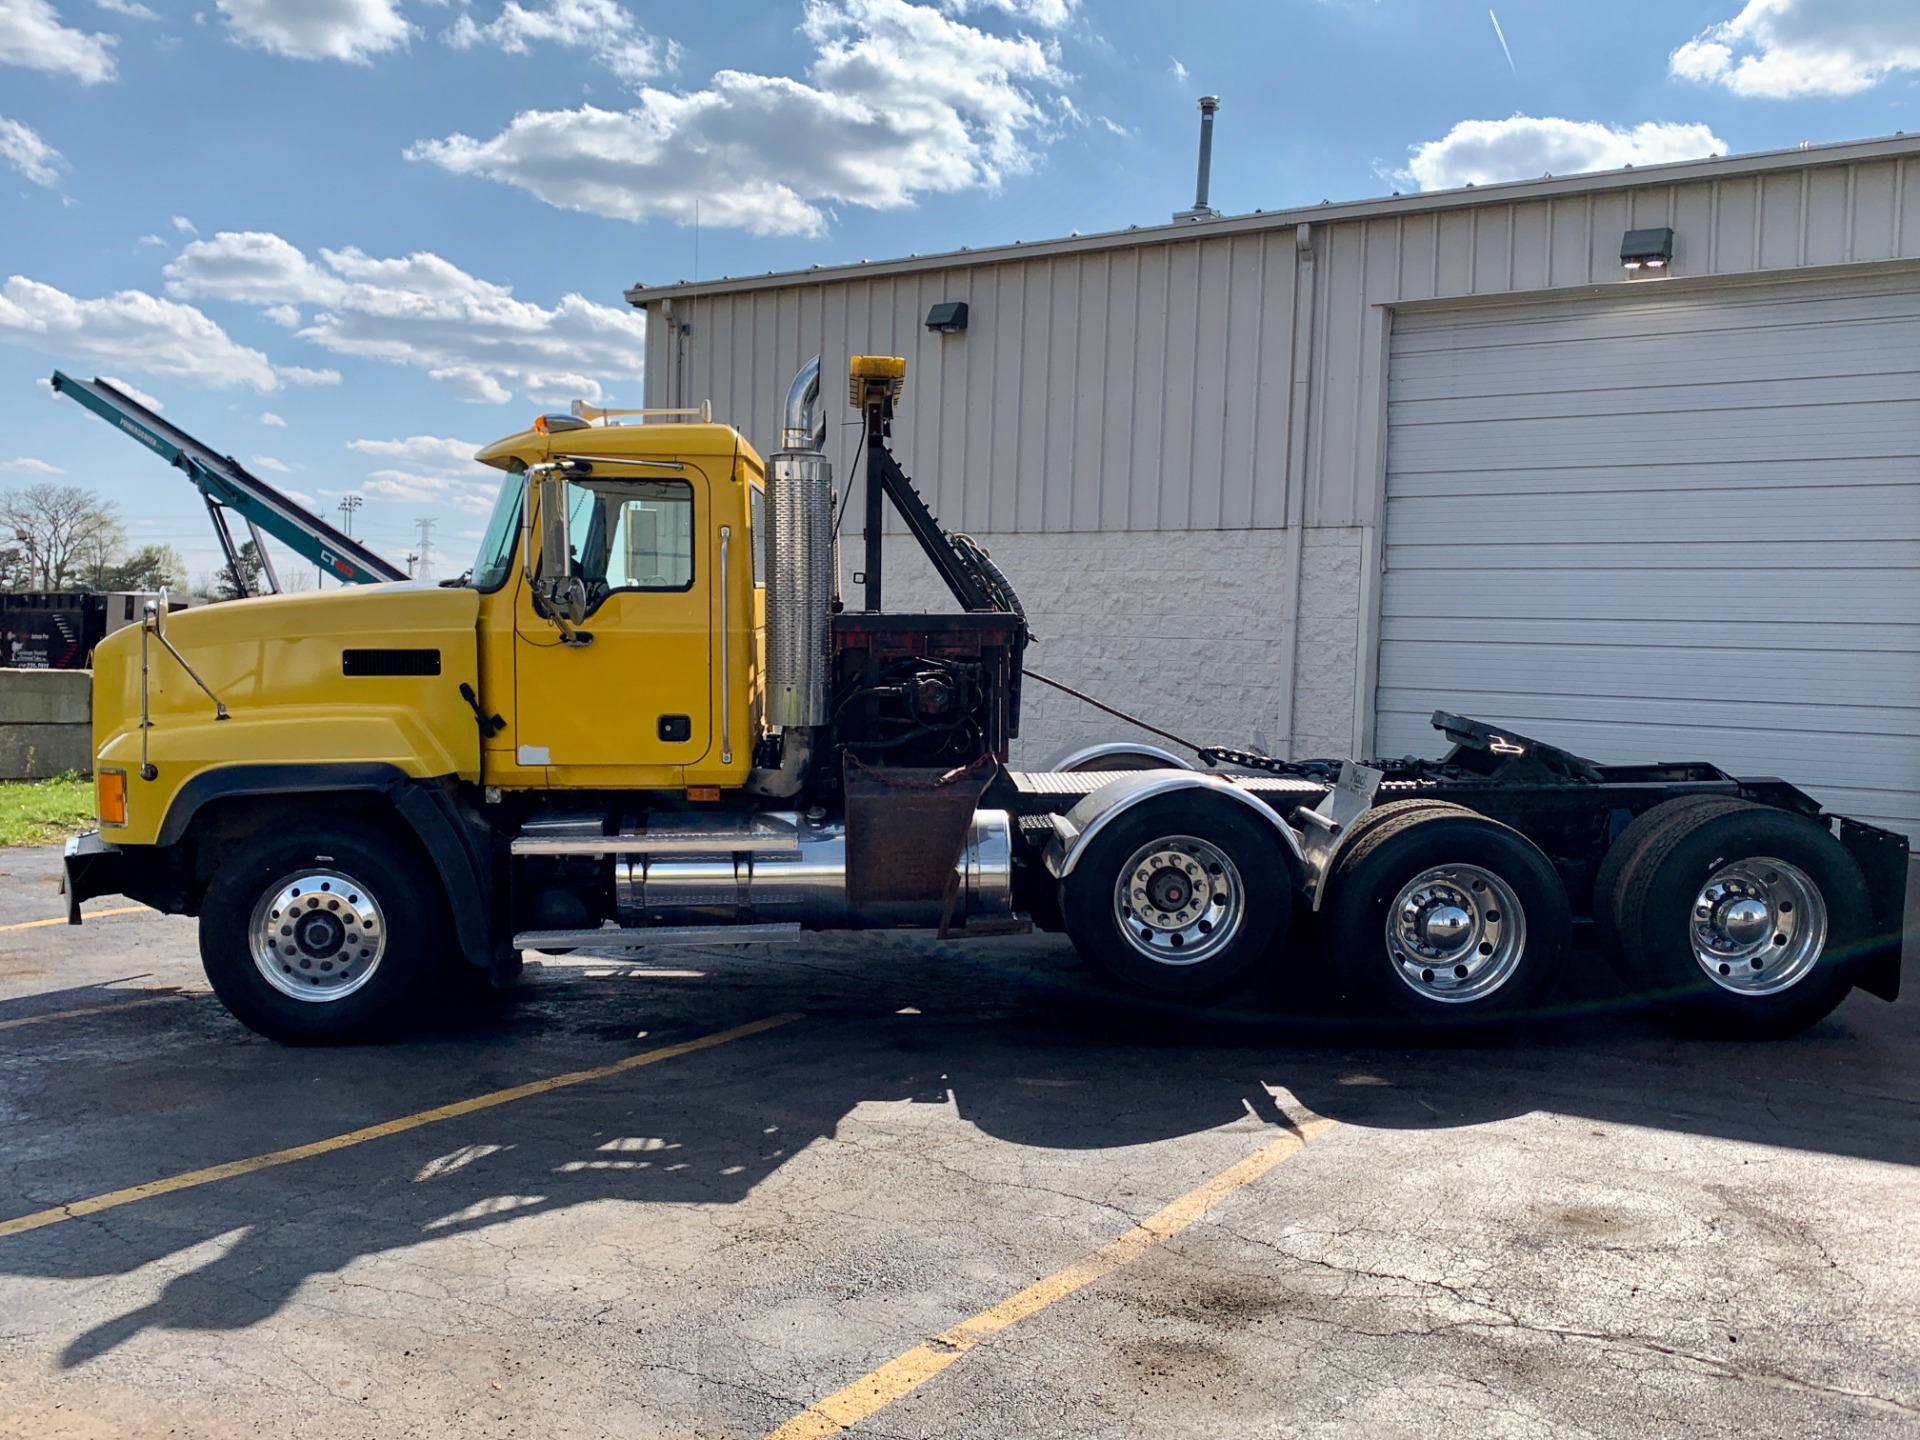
x: 318, y: 936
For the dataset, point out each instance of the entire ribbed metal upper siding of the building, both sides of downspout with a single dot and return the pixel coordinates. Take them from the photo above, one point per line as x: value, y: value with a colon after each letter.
x: 1145, y: 387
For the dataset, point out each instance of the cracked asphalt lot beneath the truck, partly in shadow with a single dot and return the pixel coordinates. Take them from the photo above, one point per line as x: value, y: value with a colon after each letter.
x: 1593, y: 1230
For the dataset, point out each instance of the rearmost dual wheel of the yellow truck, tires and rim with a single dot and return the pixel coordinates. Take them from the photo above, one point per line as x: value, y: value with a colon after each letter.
x: 1737, y: 921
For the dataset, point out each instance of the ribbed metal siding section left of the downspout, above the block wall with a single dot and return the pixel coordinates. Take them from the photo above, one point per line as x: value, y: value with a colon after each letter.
x: 1126, y: 391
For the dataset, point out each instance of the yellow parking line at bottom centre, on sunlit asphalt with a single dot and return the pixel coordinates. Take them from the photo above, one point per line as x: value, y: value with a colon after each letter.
x: 880, y: 1389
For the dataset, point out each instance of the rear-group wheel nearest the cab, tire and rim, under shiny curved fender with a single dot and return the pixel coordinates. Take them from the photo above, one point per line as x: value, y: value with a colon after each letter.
x: 1184, y: 898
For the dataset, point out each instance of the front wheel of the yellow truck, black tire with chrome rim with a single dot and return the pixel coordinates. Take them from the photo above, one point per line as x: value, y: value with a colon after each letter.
x: 322, y: 938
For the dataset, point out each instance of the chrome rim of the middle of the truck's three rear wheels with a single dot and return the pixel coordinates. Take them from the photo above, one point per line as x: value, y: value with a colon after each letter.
x: 1456, y: 934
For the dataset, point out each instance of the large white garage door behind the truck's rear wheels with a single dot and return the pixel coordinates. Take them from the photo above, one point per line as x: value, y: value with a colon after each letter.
x: 1666, y: 529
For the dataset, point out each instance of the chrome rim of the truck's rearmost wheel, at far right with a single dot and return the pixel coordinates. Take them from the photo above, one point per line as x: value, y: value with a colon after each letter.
x: 1758, y: 926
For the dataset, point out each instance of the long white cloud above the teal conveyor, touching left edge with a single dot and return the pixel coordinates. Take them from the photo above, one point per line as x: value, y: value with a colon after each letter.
x: 132, y: 327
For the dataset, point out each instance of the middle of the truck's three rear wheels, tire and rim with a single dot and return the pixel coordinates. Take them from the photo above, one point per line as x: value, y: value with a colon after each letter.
x: 1439, y: 917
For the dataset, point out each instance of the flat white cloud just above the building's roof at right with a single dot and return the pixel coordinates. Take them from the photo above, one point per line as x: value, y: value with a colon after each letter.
x: 1524, y: 147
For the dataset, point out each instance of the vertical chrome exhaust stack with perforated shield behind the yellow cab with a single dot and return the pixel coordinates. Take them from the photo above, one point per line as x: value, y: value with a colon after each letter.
x: 800, y: 585
